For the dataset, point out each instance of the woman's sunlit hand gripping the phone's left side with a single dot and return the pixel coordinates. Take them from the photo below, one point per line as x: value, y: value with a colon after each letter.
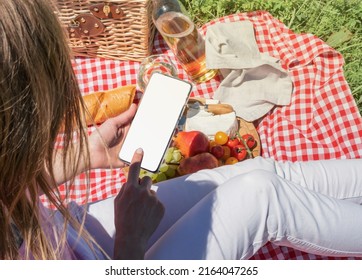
x: 106, y: 142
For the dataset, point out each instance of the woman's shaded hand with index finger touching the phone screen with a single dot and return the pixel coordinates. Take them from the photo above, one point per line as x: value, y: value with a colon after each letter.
x: 138, y: 212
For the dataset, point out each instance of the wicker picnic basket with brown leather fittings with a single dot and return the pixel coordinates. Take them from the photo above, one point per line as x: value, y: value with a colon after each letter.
x: 117, y: 29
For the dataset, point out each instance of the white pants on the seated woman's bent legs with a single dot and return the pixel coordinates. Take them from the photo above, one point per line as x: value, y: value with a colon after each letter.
x: 232, y: 211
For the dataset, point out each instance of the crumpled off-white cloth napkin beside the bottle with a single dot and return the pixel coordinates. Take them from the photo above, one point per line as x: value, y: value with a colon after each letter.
x: 253, y: 82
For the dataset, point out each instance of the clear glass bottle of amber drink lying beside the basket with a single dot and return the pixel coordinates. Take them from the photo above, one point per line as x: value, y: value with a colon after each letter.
x: 183, y: 38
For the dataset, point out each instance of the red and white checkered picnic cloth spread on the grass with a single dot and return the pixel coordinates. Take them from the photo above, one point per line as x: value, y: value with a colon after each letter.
x: 322, y: 121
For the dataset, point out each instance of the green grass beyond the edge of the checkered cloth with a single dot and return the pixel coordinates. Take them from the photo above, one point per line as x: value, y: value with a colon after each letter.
x: 337, y: 22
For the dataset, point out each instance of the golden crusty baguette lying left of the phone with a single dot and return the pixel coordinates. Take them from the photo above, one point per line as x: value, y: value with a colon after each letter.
x: 103, y: 105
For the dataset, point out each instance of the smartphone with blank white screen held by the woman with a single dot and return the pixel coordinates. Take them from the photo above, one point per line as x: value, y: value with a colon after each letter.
x: 153, y: 126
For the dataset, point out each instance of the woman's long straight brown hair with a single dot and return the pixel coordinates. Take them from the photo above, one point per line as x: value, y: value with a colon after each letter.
x: 38, y: 94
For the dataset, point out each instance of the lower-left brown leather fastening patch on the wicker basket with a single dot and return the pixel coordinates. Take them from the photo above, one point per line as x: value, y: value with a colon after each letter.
x: 85, y: 25
